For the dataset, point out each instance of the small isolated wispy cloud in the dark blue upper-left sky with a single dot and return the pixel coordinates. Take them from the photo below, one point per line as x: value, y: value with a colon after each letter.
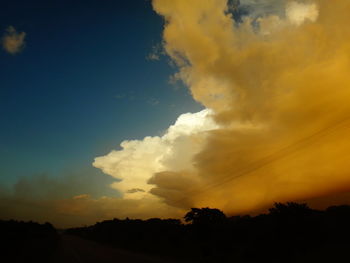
x: 13, y: 41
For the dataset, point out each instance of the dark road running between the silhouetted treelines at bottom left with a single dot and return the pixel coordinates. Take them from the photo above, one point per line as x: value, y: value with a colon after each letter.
x: 73, y: 249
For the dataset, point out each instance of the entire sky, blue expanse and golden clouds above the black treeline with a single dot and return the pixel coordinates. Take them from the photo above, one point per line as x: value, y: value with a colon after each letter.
x: 146, y: 108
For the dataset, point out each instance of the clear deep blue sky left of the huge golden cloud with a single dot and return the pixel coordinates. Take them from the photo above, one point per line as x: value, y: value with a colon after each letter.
x: 81, y: 85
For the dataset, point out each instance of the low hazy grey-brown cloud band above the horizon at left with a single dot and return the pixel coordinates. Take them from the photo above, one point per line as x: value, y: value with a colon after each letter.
x: 75, y: 199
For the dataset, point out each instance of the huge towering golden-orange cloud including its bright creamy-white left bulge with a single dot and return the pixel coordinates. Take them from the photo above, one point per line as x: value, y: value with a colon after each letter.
x: 276, y: 80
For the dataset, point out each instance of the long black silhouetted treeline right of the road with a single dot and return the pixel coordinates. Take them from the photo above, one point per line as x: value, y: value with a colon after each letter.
x: 289, y: 232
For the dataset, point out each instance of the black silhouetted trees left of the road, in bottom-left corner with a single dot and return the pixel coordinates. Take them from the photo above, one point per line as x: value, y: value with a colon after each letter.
x: 27, y: 241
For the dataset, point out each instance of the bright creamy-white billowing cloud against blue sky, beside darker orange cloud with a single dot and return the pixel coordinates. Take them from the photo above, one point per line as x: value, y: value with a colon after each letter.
x: 139, y: 160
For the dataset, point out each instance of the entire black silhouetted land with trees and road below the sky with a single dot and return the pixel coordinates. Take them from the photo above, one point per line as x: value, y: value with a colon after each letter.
x: 289, y: 233
